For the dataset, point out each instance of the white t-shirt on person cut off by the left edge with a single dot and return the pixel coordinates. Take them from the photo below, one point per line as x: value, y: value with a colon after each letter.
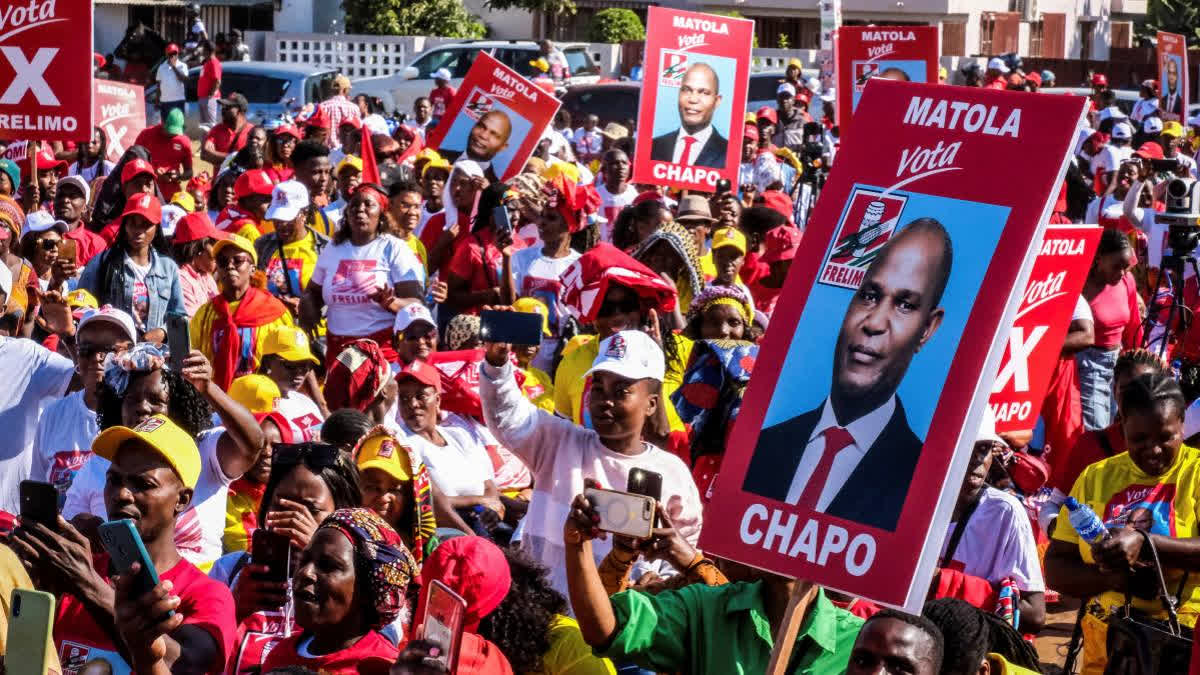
x: 34, y: 378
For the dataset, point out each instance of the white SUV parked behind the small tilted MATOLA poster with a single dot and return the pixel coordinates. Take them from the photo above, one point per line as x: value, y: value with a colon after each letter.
x: 399, y: 91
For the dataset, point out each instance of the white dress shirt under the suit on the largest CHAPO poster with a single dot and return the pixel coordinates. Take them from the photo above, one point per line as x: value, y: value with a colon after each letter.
x: 865, y: 431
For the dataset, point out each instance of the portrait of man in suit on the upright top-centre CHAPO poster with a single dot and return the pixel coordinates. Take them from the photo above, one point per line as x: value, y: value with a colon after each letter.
x: 697, y: 142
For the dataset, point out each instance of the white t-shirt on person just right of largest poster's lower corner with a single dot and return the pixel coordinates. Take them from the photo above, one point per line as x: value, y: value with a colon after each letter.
x: 999, y: 543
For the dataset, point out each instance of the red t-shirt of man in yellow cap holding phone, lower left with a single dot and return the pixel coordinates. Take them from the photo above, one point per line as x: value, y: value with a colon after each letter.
x: 203, y: 602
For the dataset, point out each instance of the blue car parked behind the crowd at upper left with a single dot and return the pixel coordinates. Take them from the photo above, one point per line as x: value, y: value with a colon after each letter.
x: 272, y: 89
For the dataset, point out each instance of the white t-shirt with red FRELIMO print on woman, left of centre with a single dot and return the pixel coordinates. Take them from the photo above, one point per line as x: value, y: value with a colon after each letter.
x: 350, y: 274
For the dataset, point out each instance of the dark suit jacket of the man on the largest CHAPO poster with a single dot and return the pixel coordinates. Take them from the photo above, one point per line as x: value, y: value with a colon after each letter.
x: 877, y: 489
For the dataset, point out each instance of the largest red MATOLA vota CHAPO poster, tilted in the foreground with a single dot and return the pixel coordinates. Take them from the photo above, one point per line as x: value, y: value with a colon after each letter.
x: 855, y: 433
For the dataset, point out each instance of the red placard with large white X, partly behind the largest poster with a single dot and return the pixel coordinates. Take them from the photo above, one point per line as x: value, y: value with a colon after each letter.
x: 1042, y: 321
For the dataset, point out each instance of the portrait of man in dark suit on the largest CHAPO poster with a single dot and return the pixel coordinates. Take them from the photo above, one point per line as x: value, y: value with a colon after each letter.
x: 854, y: 456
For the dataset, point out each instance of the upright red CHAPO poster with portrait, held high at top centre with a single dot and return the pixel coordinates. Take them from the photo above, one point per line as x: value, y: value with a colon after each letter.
x: 694, y: 99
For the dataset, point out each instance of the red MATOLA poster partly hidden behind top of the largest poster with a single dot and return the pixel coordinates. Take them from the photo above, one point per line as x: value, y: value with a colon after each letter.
x: 908, y: 53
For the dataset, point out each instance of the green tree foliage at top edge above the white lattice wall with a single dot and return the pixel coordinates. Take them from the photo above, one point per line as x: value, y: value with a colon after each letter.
x: 441, y: 19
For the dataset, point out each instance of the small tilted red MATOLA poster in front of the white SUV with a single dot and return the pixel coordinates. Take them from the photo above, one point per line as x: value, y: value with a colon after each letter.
x: 496, y: 120
